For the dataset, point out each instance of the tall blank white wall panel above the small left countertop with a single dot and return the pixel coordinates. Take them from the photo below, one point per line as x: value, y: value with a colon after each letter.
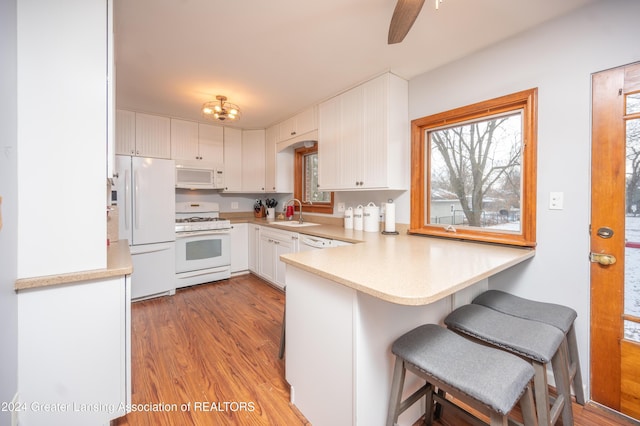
x: 62, y: 136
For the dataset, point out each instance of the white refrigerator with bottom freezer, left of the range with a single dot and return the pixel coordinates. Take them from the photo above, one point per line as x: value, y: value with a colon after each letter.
x: 146, y: 203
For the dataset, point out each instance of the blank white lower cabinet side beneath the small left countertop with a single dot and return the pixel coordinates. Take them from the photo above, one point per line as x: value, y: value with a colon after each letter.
x: 74, y: 348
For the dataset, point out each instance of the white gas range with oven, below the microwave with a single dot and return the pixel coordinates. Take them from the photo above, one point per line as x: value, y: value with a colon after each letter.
x: 203, y: 244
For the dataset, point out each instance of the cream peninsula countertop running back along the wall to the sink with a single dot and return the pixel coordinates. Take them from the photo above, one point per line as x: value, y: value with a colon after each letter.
x: 402, y: 269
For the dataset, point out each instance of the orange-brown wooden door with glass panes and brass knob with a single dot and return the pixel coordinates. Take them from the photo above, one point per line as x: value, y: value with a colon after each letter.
x: 615, y: 240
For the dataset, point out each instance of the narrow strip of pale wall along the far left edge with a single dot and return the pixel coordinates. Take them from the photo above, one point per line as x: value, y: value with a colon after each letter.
x: 9, y: 208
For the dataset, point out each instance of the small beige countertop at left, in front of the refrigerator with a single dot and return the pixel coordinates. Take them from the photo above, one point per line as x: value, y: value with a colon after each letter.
x: 118, y: 263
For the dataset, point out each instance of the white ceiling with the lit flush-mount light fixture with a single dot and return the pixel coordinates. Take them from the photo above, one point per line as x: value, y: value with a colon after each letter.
x: 275, y: 58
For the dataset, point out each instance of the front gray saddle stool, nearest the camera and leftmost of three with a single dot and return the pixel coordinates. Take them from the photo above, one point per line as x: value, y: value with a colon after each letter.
x: 489, y: 380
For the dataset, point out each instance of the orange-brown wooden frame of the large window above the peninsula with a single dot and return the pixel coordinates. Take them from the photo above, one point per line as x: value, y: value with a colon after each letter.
x: 525, y: 100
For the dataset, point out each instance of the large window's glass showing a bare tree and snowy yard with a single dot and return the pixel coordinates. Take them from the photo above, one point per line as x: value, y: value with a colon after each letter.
x: 478, y: 166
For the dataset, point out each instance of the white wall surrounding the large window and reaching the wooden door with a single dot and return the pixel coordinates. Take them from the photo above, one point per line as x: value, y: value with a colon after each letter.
x: 559, y: 59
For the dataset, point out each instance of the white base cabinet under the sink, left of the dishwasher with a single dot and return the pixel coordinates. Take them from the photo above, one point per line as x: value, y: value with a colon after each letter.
x: 273, y: 244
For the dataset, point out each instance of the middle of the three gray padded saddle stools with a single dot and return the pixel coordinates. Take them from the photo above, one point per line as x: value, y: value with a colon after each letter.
x: 537, y: 342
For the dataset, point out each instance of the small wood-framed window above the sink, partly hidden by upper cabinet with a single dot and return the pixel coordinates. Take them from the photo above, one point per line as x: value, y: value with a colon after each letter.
x: 306, y: 182
